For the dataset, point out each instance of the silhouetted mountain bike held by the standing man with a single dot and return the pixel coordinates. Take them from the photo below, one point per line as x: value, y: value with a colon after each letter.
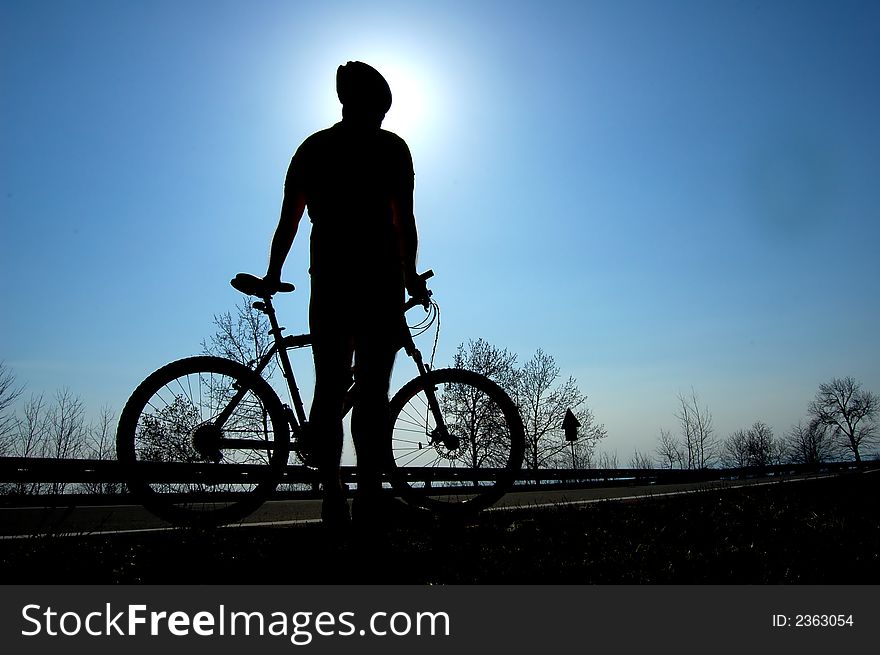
x: 205, y: 440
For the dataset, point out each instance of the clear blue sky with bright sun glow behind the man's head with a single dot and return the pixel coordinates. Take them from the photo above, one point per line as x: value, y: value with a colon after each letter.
x: 662, y: 195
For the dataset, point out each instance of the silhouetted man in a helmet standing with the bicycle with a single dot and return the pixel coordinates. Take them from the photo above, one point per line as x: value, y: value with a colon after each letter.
x: 356, y: 180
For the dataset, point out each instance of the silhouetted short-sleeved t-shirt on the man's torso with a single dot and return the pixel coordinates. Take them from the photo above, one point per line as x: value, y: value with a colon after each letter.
x: 349, y: 177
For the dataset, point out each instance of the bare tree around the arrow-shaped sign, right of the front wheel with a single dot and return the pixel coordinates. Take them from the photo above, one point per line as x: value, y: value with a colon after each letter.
x: 543, y: 401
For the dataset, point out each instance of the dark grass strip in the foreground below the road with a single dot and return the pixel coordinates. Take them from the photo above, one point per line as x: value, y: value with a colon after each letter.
x: 823, y: 531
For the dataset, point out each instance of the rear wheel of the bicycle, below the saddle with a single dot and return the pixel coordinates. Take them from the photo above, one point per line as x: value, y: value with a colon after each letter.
x: 203, y: 441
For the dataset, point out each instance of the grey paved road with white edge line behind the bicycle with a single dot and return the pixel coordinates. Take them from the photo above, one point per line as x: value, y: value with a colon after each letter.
x: 20, y: 522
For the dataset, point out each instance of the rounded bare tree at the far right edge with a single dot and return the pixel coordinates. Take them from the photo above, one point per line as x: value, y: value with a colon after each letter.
x: 848, y: 411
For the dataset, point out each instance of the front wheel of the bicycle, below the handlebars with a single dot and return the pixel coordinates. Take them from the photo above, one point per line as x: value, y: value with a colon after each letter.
x: 460, y: 453
